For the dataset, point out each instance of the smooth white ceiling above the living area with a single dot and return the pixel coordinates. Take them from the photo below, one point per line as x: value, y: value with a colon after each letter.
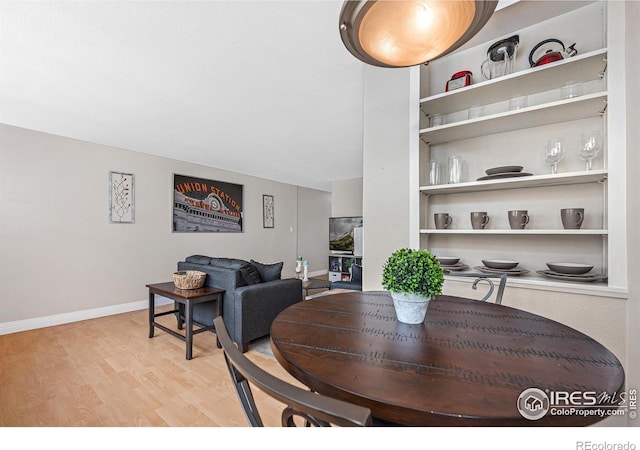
x: 263, y: 88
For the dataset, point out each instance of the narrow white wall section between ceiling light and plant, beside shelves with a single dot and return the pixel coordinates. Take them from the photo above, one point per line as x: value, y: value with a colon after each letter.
x: 390, y: 169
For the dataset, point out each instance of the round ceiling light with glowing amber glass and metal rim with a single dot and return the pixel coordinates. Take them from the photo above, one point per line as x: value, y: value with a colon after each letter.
x: 399, y: 33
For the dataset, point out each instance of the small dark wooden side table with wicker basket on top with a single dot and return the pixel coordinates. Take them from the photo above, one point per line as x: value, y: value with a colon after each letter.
x: 186, y: 298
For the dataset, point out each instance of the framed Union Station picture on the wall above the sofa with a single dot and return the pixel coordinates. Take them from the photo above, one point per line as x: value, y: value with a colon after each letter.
x: 201, y: 205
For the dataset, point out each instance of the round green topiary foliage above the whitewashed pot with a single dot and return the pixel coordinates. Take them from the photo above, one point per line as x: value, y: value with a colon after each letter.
x: 413, y: 272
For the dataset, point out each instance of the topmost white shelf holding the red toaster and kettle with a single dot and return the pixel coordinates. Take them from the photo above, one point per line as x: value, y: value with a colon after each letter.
x: 580, y: 68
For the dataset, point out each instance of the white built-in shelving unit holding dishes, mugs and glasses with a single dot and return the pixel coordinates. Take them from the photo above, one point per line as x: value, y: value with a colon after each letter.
x: 507, y: 137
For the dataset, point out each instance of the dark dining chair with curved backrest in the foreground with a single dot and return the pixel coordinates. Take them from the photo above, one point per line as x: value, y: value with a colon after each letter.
x: 314, y: 409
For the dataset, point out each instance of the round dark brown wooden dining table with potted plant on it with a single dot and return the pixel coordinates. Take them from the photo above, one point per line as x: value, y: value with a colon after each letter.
x: 468, y: 364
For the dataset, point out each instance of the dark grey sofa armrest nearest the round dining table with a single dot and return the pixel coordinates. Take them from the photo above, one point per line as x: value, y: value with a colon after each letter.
x: 257, y: 305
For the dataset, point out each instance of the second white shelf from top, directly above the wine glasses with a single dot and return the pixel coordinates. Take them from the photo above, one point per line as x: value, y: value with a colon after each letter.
x: 582, y: 107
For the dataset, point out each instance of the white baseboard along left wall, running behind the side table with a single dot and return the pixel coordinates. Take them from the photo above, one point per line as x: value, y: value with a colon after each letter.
x: 76, y: 316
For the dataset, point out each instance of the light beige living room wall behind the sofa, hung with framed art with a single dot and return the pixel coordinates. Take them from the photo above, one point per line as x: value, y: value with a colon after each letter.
x: 60, y: 254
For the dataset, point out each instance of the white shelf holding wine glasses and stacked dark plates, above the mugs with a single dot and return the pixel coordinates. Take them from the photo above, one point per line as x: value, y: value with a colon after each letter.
x: 592, y: 176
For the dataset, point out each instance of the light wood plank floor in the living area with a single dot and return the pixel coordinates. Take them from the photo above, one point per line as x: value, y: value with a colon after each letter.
x: 106, y: 372
